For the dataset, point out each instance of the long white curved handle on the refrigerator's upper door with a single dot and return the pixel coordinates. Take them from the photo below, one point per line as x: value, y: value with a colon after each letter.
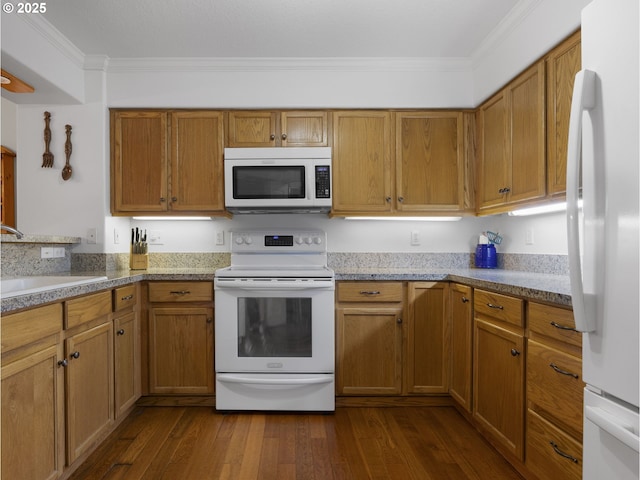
x: 583, y: 99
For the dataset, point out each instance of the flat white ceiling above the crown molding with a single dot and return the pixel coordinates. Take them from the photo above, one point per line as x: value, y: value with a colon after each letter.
x: 278, y: 28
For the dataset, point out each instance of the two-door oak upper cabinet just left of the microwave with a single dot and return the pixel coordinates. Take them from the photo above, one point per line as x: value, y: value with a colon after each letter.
x: 167, y: 162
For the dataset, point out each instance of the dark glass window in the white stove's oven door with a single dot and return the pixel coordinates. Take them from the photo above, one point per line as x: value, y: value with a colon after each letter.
x: 274, y: 327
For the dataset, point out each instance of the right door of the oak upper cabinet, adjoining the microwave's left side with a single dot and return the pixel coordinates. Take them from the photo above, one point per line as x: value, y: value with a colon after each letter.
x: 197, y: 145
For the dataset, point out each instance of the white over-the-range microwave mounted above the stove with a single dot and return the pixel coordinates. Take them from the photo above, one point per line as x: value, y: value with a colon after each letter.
x: 277, y: 180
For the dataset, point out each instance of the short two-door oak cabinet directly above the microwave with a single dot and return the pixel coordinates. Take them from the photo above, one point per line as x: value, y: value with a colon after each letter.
x: 277, y: 129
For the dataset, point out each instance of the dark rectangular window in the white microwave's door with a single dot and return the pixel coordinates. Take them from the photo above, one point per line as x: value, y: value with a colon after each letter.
x: 267, y: 182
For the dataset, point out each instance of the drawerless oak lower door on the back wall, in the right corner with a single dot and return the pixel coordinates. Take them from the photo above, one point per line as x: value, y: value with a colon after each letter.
x: 427, y: 360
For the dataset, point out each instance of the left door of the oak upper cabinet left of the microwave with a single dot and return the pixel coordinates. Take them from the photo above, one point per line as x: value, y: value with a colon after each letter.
x: 139, y: 162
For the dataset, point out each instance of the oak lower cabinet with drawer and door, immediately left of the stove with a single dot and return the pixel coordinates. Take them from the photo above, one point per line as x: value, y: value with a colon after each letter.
x: 181, y: 338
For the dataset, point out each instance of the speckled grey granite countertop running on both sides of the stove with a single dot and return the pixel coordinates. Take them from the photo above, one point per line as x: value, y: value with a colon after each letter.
x: 535, y: 286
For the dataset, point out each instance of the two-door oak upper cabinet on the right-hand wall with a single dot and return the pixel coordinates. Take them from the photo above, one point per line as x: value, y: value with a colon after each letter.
x: 511, y: 144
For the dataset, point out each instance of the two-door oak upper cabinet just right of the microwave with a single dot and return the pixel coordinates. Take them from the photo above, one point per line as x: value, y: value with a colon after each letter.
x: 398, y: 162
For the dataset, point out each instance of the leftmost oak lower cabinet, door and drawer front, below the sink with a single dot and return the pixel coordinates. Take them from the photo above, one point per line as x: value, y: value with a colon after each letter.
x: 32, y: 395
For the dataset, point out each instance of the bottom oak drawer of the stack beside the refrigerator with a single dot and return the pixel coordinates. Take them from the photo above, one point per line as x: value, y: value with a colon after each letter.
x: 550, y: 452
